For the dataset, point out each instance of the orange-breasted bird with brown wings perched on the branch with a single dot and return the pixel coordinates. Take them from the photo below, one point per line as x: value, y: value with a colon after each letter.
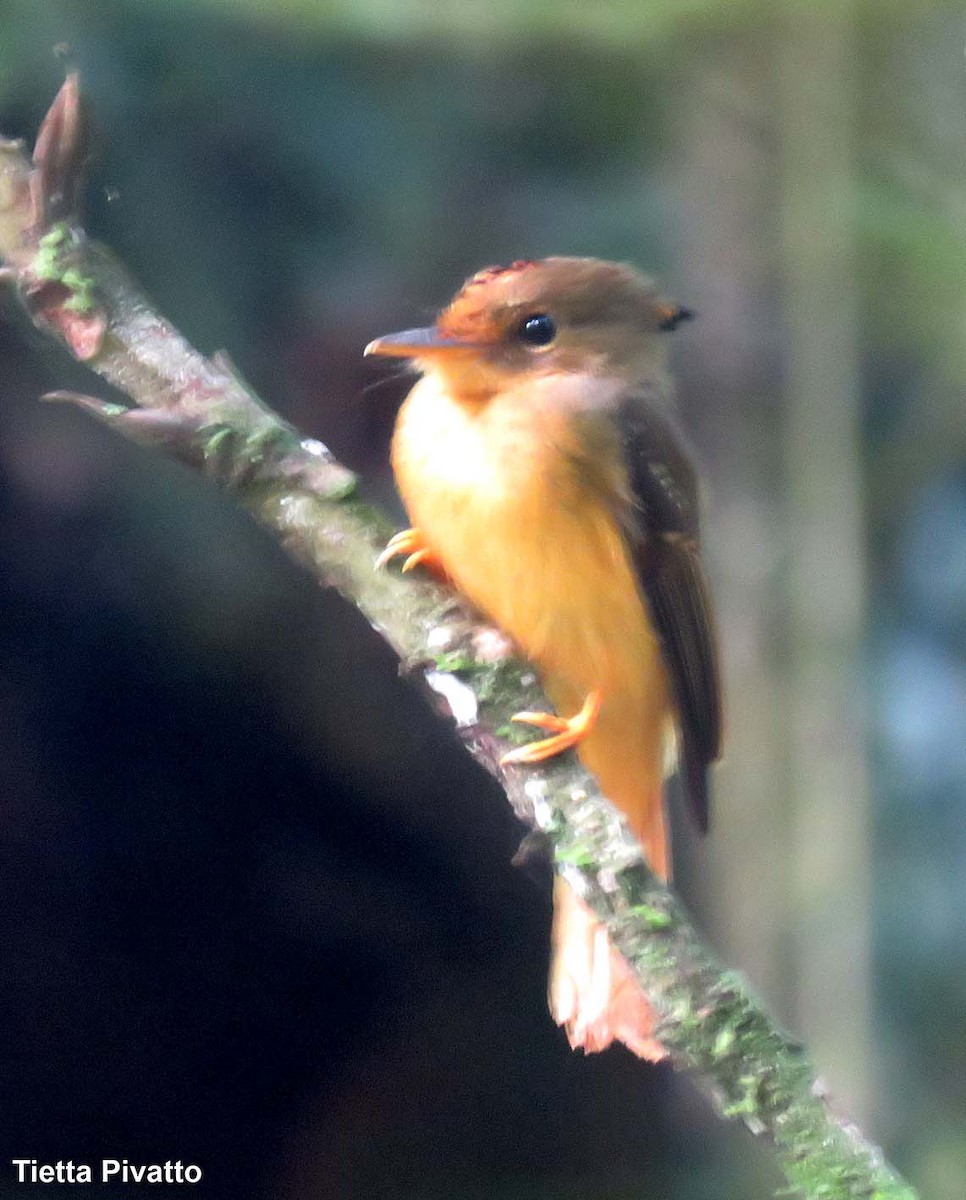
x: 539, y: 464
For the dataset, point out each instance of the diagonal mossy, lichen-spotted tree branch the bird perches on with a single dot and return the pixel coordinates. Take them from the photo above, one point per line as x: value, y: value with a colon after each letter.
x: 201, y: 411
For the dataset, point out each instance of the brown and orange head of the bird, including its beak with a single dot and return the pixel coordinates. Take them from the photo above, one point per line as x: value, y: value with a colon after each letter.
x: 553, y: 316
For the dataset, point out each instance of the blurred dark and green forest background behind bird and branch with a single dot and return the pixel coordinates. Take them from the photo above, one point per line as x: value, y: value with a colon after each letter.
x: 257, y: 913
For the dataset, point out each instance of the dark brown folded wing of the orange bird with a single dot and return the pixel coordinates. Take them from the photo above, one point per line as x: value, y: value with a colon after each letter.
x: 662, y: 526
